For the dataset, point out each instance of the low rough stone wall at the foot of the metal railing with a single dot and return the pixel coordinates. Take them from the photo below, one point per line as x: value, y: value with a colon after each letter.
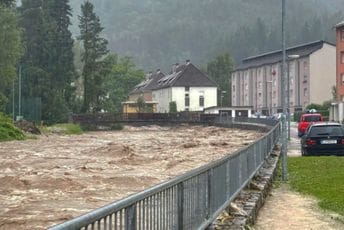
x: 243, y: 211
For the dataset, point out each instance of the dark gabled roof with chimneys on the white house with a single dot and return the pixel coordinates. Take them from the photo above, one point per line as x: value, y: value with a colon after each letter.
x: 185, y: 75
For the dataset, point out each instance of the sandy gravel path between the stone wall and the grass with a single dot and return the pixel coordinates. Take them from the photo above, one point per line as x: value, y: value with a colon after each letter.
x: 288, y: 210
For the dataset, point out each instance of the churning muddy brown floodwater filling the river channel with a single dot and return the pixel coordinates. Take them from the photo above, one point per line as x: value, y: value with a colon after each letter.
x: 54, y: 178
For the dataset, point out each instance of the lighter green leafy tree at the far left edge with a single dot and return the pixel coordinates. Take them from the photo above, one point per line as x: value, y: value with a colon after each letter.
x: 10, y: 52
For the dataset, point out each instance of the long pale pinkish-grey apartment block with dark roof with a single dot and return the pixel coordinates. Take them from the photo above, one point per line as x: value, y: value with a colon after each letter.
x: 311, y: 72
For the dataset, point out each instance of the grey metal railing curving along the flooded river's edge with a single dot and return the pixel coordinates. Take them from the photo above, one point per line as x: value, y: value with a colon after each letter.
x: 190, y: 201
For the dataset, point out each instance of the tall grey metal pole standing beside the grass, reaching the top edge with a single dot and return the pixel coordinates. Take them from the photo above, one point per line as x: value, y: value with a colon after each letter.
x: 284, y: 102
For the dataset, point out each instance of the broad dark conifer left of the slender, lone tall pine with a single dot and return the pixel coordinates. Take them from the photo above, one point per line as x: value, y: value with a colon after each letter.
x: 48, y: 68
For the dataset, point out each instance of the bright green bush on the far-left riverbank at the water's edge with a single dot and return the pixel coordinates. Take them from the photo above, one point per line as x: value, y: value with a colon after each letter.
x: 8, y: 131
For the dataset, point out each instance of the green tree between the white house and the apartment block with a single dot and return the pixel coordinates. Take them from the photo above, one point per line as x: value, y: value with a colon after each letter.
x: 219, y: 70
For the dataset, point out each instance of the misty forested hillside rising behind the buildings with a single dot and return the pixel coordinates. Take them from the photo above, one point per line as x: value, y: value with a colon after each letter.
x: 157, y: 33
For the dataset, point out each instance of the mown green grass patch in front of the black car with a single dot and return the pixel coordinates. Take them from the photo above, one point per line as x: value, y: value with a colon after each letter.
x: 321, y: 177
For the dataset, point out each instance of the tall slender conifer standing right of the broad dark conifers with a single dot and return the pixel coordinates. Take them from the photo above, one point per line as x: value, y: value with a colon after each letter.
x: 95, y: 48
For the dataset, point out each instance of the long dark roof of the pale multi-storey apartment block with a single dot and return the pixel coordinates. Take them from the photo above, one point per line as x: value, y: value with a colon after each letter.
x: 276, y: 56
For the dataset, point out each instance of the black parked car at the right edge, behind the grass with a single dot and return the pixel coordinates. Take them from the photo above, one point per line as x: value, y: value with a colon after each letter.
x: 323, y: 138
